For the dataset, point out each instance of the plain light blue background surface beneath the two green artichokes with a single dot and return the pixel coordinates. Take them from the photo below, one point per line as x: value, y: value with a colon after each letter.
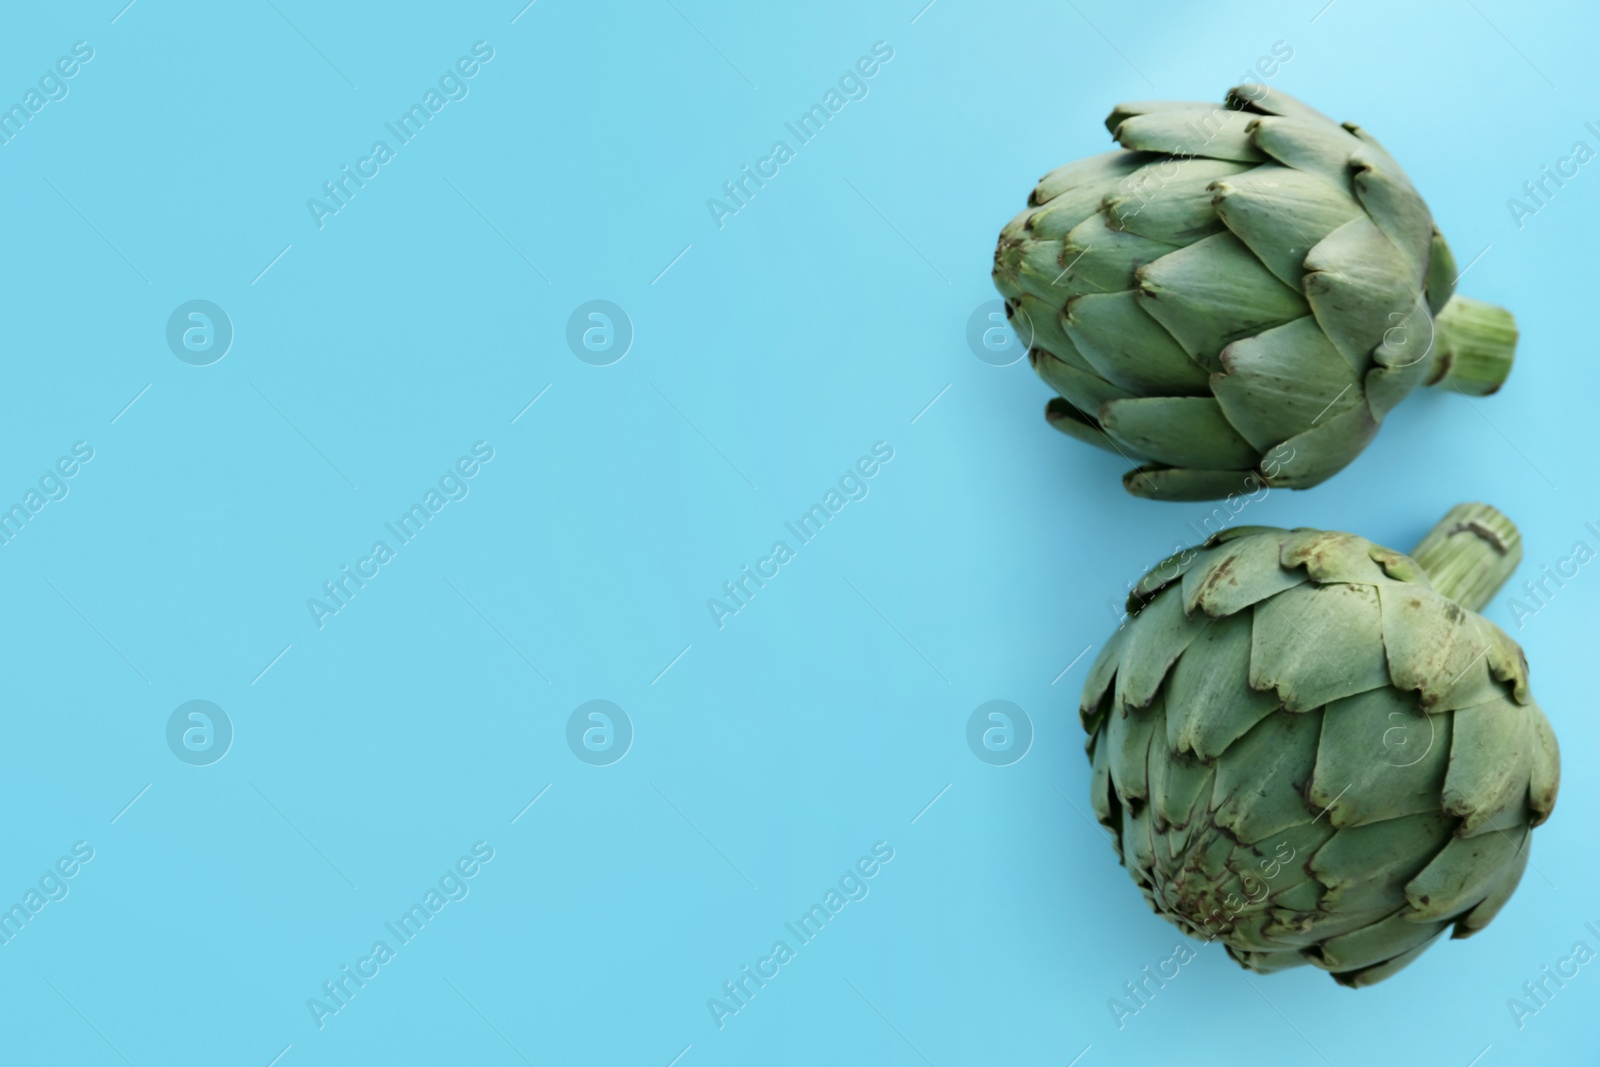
x: 375, y: 748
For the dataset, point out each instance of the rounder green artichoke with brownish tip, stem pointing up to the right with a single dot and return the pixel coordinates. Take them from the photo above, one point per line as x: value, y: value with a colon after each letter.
x: 1314, y: 749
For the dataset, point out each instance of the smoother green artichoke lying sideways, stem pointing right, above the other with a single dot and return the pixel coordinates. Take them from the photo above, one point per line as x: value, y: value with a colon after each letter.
x: 1239, y: 297
